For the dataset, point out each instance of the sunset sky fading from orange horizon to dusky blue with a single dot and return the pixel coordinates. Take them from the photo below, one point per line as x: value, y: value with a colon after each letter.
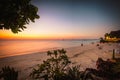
x: 67, y: 20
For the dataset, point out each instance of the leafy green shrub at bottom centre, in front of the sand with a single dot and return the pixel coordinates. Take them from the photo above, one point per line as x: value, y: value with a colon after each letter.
x: 53, y: 68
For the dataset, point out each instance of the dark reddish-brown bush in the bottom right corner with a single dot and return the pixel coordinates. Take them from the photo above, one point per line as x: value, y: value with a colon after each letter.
x: 106, y: 70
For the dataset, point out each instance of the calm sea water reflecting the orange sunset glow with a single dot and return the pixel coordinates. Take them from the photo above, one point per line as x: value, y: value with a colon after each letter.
x: 20, y: 47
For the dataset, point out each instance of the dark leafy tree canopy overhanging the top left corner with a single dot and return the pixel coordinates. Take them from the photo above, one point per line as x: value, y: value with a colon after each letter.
x: 15, y: 14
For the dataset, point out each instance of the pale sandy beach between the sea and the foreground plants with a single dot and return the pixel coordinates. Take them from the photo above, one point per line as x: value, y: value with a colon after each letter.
x: 85, y: 56
